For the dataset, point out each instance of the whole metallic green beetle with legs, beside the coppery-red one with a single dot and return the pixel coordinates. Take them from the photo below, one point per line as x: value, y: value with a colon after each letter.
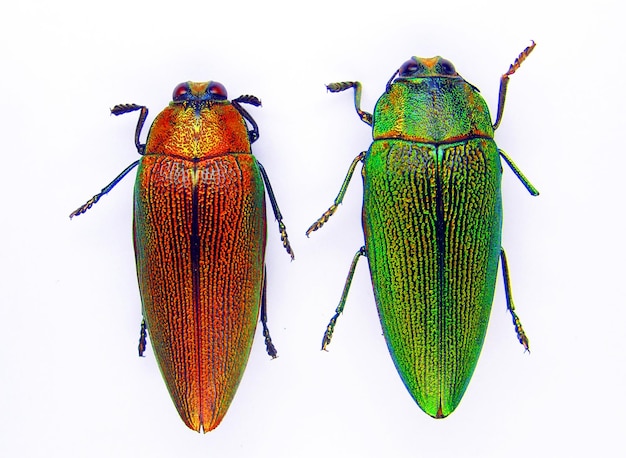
x: 432, y: 220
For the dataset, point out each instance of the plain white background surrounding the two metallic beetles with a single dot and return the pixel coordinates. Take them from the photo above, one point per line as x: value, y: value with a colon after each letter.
x: 70, y: 381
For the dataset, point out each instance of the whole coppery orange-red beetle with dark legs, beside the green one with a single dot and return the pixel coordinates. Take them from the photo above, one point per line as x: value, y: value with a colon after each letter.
x: 199, y: 231
